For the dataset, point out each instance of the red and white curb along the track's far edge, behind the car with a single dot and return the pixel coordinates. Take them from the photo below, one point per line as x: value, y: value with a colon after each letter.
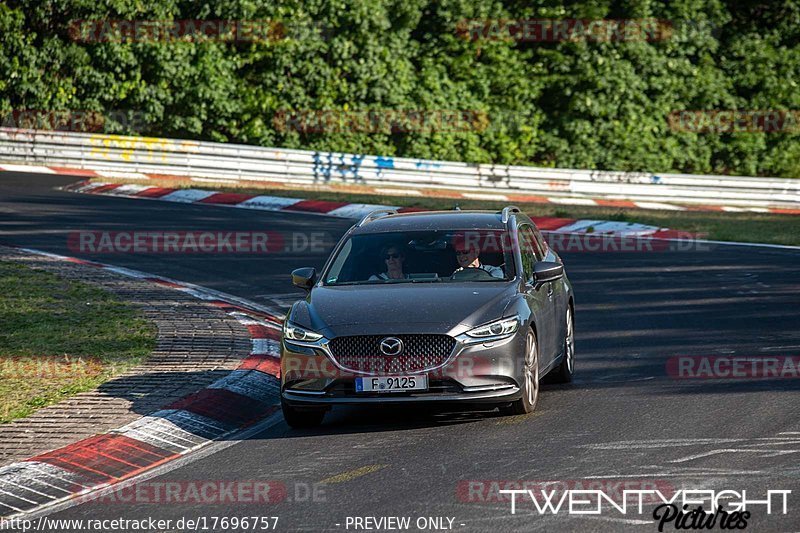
x: 347, y: 210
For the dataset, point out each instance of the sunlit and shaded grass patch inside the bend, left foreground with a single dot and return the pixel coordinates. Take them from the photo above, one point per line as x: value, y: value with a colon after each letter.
x: 60, y: 337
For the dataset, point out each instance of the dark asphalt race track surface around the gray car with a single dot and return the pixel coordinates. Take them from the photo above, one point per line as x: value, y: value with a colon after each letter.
x: 624, y: 417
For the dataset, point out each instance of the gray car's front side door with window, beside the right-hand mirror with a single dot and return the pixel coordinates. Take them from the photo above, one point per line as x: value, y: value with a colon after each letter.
x: 540, y: 301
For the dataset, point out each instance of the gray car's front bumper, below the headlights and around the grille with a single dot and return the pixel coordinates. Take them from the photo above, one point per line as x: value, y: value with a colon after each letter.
x: 477, y: 372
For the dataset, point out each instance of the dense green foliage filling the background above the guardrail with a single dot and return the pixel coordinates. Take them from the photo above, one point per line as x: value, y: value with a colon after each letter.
x: 582, y: 102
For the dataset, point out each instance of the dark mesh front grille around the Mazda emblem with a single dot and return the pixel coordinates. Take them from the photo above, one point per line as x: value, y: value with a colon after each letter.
x: 362, y: 353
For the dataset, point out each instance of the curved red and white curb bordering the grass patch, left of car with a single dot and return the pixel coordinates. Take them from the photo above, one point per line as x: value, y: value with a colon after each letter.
x: 236, y: 401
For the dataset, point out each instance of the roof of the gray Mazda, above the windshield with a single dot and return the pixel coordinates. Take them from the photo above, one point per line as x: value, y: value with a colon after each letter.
x: 434, y: 220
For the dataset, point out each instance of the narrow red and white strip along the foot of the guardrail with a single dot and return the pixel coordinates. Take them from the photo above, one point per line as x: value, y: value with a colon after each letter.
x: 397, y: 191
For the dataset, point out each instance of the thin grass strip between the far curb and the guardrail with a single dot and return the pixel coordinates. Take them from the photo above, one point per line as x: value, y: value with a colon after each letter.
x: 715, y: 225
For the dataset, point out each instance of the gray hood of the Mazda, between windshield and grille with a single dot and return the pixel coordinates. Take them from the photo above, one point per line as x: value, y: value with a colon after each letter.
x: 402, y: 308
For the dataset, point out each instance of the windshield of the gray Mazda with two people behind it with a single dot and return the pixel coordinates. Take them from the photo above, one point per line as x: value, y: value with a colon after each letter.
x: 480, y: 256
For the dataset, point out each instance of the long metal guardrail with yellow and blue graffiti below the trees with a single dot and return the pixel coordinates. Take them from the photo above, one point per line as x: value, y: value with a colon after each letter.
x: 233, y: 162
